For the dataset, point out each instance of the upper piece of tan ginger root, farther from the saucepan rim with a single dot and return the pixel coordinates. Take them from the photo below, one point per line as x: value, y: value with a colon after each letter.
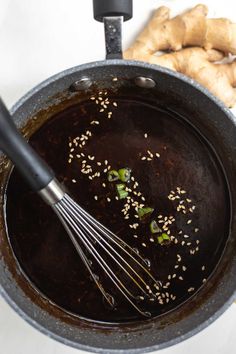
x: 192, y: 28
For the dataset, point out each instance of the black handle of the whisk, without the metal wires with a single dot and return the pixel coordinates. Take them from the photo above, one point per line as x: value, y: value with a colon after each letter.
x: 31, y: 166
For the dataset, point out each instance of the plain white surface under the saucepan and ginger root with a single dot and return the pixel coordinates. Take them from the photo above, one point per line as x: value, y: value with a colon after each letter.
x: 38, y: 39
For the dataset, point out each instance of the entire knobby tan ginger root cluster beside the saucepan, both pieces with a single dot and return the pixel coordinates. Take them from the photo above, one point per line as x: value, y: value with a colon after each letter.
x: 191, y: 29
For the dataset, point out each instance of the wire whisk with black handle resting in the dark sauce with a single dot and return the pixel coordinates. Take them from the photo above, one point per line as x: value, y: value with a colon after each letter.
x: 127, y: 270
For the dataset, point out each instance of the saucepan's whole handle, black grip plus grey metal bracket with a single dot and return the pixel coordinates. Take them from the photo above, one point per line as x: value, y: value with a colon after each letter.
x: 112, y: 13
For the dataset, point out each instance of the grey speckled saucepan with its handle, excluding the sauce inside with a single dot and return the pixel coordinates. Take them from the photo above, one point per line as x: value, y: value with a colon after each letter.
x: 204, y: 113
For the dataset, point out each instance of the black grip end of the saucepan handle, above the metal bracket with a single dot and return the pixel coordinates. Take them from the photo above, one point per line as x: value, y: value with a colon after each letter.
x: 112, y: 8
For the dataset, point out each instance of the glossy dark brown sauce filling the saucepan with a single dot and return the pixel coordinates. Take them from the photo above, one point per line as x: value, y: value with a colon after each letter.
x: 42, y: 247
